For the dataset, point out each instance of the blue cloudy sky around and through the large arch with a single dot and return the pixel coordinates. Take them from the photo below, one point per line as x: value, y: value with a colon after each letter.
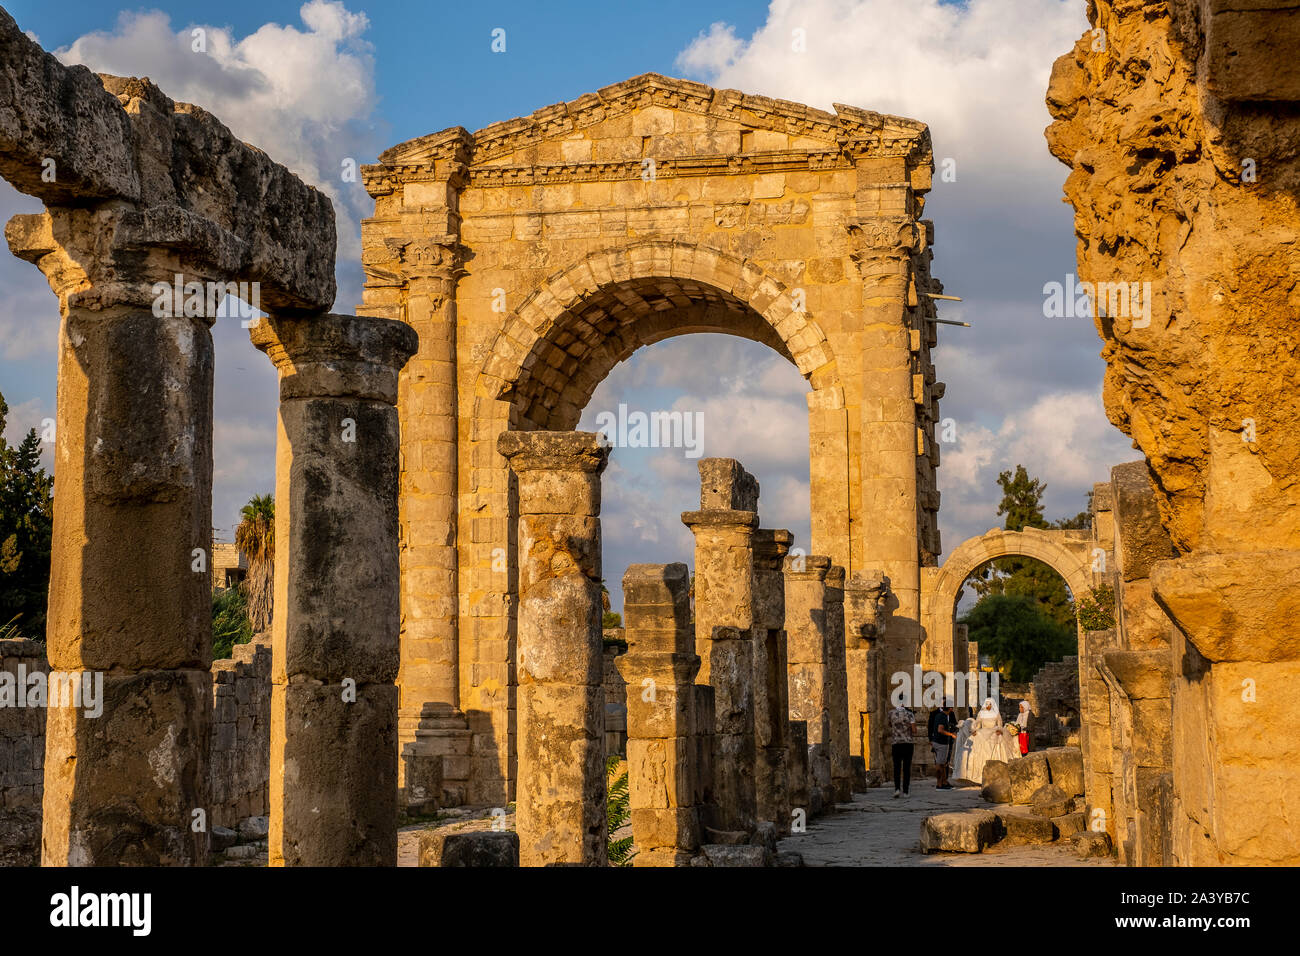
x: 317, y: 83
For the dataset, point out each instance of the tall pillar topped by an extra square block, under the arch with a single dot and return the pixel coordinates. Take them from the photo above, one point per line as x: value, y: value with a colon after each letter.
x: 725, y: 628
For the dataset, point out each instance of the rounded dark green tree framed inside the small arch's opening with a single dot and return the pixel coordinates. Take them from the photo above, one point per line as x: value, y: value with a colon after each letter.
x: 1017, y: 635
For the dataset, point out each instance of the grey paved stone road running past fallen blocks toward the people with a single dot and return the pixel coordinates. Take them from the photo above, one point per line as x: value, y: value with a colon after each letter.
x: 877, y: 830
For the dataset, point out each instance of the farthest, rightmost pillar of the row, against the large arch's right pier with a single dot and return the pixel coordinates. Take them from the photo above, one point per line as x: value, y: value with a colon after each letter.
x: 865, y: 600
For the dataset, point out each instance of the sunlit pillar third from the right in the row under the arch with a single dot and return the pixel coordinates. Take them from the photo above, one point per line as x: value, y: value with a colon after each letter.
x: 807, y: 643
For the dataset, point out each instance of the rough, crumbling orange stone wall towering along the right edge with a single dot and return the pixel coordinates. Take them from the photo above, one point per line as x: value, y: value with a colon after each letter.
x: 1181, y: 128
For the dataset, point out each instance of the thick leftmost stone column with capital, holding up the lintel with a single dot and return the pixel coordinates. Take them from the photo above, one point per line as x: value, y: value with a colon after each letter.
x: 129, y: 583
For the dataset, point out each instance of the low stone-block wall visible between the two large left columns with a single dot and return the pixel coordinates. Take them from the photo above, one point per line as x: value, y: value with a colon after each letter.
x: 240, y: 760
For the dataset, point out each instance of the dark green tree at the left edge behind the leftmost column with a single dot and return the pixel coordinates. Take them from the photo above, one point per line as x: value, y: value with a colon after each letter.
x: 27, y: 531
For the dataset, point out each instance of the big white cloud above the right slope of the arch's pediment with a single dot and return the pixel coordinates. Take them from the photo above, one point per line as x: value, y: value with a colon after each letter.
x: 977, y: 72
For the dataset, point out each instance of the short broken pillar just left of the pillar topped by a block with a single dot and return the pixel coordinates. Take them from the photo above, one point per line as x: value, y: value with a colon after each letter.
x: 661, y: 668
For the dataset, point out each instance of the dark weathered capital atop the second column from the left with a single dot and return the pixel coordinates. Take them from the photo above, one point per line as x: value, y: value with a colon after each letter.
x: 336, y: 356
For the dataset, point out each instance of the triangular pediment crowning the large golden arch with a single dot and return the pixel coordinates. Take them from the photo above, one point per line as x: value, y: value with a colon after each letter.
x: 682, y: 116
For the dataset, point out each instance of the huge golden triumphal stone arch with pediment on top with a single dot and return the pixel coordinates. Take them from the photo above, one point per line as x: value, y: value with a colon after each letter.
x: 536, y: 254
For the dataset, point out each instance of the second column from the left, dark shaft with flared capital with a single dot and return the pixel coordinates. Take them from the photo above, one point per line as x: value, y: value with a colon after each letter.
x: 335, y: 637
